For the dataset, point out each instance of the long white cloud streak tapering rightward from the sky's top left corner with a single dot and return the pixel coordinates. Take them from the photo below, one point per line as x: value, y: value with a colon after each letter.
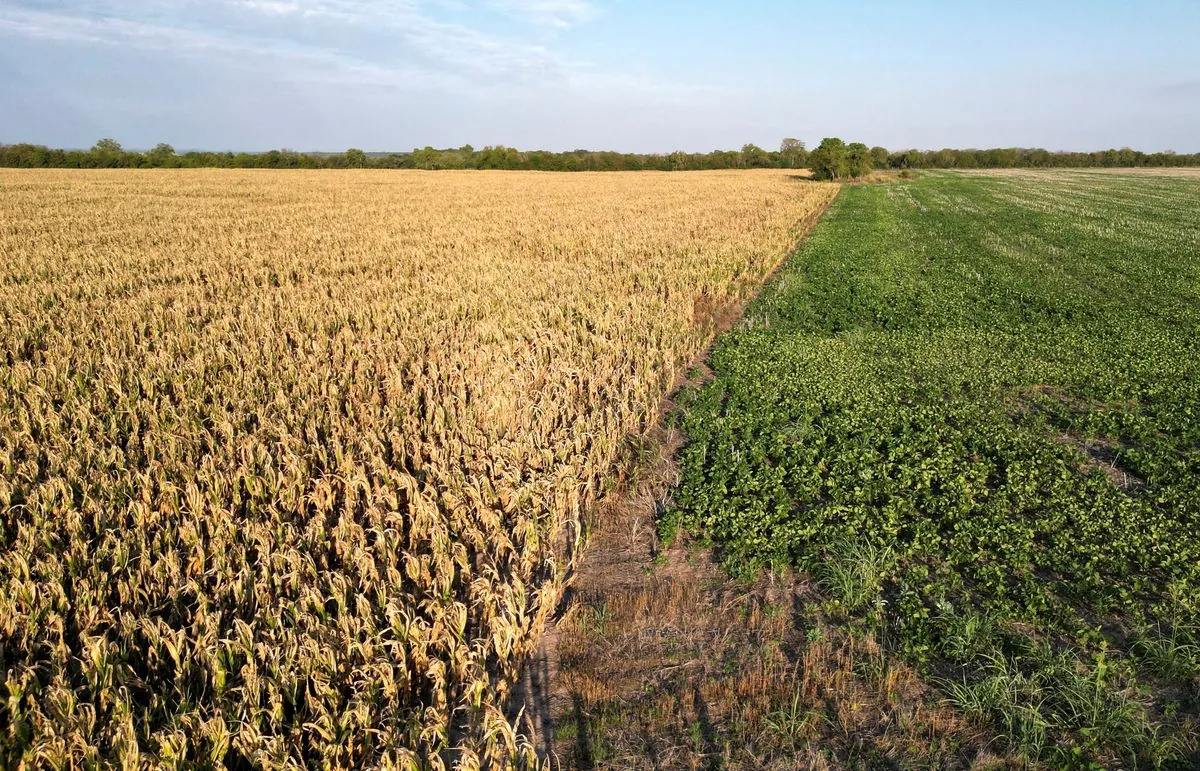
x: 347, y: 38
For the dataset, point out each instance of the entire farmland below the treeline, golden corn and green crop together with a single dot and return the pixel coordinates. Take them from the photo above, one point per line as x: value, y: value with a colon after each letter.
x: 298, y: 468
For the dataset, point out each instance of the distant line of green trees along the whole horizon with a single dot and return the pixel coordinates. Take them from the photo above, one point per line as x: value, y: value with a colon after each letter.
x: 791, y: 154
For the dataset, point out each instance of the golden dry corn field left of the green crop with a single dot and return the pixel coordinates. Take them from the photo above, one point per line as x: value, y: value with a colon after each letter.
x: 290, y: 459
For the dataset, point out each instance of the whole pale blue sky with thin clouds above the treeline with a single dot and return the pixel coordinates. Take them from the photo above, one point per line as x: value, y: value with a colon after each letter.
x: 644, y: 76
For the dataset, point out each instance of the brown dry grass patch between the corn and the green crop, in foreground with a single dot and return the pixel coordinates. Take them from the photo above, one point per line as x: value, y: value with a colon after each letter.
x: 663, y: 662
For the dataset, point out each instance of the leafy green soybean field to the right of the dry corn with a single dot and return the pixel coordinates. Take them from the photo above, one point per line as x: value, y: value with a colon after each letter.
x: 969, y: 409
